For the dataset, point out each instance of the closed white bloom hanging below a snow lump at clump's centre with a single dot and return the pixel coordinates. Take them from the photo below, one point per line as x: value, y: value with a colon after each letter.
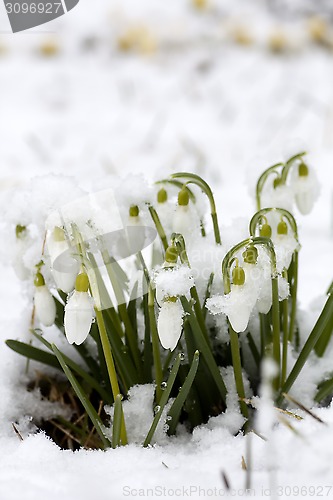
x: 170, y: 322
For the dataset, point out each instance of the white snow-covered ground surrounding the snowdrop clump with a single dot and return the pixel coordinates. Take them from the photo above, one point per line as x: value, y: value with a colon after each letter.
x: 187, y: 99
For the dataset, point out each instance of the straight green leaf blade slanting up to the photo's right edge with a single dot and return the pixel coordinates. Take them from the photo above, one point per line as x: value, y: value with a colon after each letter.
x: 323, y: 321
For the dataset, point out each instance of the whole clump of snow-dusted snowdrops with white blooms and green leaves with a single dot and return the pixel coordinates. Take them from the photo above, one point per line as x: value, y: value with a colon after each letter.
x: 130, y: 304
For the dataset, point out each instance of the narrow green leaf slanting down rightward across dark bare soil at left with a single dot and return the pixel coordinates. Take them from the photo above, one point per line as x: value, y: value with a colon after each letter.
x: 97, y: 422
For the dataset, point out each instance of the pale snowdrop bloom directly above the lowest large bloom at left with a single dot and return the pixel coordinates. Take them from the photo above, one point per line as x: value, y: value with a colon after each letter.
x: 64, y: 266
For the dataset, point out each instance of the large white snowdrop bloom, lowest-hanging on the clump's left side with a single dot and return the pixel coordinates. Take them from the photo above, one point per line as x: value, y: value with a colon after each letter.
x: 78, y: 312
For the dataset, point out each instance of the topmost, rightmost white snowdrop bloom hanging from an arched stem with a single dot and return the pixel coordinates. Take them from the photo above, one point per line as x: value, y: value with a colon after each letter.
x: 305, y: 187
